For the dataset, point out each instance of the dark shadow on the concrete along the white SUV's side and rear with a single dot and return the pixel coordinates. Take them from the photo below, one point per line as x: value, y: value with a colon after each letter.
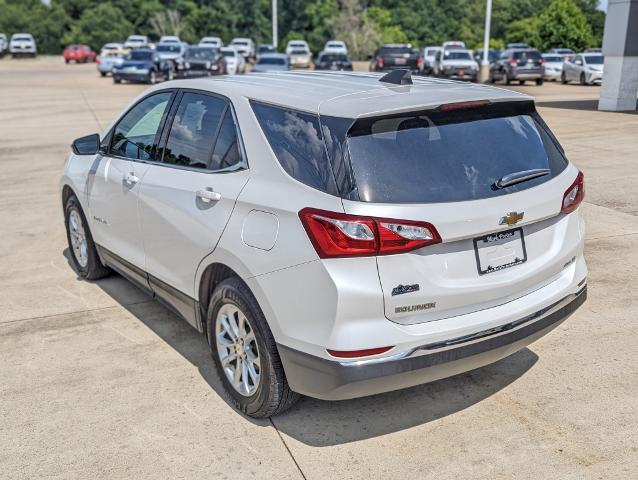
x: 322, y: 423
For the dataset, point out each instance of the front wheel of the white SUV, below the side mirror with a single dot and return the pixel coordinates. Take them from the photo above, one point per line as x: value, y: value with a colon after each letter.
x: 82, y: 249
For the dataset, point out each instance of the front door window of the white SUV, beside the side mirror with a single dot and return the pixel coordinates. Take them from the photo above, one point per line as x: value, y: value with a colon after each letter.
x: 135, y: 134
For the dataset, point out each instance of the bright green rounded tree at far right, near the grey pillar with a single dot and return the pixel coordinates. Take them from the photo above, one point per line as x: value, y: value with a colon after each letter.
x: 563, y: 24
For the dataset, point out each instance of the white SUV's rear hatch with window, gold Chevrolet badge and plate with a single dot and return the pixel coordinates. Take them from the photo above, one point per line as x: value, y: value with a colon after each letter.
x: 443, y: 167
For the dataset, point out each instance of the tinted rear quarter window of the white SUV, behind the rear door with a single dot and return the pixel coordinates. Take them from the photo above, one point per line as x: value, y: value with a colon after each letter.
x: 296, y: 139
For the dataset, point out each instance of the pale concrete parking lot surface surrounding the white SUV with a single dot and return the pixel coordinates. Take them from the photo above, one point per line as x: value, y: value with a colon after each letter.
x: 99, y: 381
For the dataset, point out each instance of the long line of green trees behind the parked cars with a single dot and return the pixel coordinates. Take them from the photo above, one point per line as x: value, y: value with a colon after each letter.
x: 363, y: 24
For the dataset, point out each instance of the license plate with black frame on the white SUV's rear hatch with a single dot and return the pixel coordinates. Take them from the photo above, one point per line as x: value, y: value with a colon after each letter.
x: 501, y: 250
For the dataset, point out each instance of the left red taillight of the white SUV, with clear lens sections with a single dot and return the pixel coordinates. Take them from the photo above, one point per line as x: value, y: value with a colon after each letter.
x: 341, y: 235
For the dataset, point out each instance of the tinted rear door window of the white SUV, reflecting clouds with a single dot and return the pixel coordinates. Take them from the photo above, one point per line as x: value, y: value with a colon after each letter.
x: 190, y: 141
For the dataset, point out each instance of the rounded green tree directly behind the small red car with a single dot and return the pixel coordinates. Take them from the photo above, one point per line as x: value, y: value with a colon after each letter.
x: 97, y: 26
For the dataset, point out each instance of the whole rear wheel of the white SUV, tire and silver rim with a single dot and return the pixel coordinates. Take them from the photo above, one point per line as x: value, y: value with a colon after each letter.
x: 245, y: 352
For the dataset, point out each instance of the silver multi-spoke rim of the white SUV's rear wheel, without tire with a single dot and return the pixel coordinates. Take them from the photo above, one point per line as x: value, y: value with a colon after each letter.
x: 237, y: 349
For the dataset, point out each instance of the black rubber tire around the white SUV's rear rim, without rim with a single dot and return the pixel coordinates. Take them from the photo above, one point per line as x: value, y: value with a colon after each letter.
x: 273, y: 395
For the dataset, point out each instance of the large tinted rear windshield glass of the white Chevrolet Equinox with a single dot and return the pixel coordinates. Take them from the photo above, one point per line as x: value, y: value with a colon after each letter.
x: 432, y: 157
